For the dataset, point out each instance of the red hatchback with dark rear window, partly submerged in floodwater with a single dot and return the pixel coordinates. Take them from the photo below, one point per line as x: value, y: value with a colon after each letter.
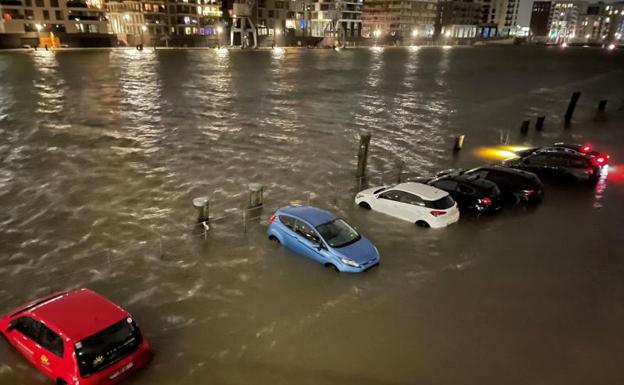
x: 77, y: 338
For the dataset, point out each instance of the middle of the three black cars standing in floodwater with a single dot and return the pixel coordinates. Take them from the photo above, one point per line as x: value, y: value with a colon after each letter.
x: 515, y: 185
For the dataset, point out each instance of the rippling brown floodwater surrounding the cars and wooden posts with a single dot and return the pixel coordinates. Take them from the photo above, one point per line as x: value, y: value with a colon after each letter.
x: 103, y: 151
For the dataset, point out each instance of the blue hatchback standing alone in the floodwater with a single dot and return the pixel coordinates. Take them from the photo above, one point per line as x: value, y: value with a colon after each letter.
x: 323, y: 237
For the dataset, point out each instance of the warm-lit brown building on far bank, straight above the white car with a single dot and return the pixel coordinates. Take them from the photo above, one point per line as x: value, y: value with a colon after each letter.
x: 402, y: 19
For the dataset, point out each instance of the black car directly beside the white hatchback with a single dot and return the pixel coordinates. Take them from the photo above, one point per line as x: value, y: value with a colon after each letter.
x: 471, y: 192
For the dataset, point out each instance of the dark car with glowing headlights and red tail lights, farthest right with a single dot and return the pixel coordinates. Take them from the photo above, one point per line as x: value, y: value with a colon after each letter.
x: 560, y: 161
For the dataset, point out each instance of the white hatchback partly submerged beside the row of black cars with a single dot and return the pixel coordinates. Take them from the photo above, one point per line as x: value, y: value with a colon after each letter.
x: 418, y: 203
